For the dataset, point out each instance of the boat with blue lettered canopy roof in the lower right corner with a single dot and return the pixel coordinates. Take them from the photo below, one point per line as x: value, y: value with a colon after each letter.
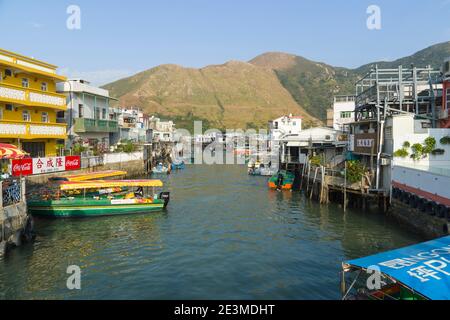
x: 417, y: 272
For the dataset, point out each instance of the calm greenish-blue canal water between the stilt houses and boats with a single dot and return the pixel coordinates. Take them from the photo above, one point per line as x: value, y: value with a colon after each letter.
x: 224, y: 236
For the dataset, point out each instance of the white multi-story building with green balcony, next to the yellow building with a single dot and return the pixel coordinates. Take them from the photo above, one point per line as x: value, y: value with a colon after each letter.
x: 88, y: 115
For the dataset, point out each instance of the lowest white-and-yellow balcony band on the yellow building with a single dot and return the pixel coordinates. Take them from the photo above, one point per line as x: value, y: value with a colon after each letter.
x: 32, y: 130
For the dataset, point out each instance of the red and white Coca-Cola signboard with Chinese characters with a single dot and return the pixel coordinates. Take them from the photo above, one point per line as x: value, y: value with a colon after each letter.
x: 31, y: 166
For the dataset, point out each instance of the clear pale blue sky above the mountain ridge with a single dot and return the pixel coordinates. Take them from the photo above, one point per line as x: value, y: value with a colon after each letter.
x: 120, y: 38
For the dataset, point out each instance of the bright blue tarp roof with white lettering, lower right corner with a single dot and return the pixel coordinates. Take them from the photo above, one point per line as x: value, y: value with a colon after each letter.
x: 423, y: 267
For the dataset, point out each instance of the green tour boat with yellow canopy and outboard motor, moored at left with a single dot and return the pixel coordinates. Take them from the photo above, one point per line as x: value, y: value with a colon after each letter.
x: 74, y: 199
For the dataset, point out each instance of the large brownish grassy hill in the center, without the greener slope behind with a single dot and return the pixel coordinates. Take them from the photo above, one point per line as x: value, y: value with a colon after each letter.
x: 233, y: 95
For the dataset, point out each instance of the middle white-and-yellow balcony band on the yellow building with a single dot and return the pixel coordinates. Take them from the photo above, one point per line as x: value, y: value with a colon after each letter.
x: 30, y: 97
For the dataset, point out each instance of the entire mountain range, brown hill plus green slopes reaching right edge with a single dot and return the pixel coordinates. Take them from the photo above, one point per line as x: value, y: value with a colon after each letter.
x: 248, y: 94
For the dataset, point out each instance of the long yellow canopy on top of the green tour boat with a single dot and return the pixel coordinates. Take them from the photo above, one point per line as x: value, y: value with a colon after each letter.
x: 104, y: 184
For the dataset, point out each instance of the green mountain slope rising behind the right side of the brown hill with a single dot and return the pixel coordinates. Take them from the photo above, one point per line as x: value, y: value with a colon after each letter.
x: 312, y: 84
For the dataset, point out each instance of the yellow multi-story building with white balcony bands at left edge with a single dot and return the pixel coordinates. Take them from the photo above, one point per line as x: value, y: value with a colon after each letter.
x: 30, y: 106
